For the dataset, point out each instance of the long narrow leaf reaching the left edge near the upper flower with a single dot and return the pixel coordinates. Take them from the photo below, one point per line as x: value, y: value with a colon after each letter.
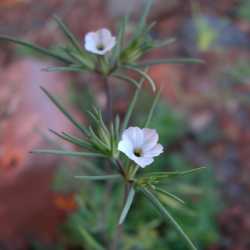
x: 36, y: 48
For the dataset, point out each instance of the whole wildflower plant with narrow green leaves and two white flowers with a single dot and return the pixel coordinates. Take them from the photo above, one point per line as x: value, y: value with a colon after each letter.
x: 128, y: 149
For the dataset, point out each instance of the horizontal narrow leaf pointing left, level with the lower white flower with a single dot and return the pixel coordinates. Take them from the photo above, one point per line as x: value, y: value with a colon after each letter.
x: 66, y: 153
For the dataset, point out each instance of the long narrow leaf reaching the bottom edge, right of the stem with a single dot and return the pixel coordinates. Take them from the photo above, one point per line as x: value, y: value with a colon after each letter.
x: 165, y: 214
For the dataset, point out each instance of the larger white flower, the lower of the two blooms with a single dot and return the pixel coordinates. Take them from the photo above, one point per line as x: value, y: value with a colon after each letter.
x: 140, y: 145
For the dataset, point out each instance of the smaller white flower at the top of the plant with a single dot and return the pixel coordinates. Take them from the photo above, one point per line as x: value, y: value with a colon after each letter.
x: 99, y: 42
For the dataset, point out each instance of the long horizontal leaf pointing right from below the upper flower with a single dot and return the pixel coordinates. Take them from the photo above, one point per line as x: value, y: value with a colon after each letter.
x: 168, y: 61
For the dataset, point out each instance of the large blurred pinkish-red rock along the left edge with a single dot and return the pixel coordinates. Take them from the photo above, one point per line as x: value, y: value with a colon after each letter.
x: 28, y: 208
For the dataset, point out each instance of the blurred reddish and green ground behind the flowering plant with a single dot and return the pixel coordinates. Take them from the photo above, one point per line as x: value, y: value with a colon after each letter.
x: 203, y: 119
